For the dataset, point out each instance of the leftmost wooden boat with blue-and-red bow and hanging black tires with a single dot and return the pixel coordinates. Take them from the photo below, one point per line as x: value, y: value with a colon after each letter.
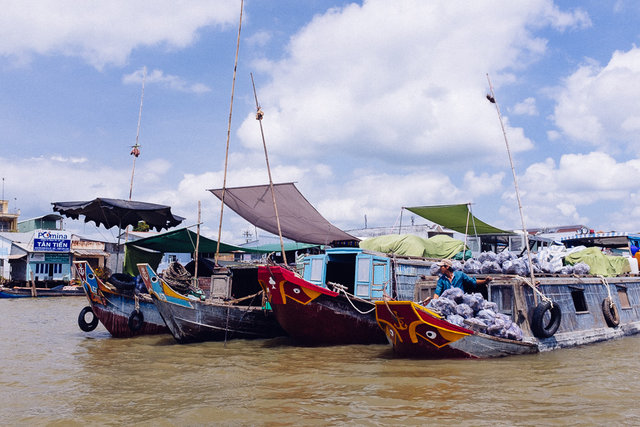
x: 123, y: 313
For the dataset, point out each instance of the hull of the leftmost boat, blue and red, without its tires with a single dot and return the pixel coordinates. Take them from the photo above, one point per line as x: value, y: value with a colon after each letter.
x: 113, y: 309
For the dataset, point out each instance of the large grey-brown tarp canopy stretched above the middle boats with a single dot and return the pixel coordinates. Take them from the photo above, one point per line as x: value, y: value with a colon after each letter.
x: 299, y: 220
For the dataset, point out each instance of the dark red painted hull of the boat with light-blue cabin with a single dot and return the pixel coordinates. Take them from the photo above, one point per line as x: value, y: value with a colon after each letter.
x: 315, y: 315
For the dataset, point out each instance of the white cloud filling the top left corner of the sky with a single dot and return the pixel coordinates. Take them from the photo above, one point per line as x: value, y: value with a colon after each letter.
x: 104, y: 33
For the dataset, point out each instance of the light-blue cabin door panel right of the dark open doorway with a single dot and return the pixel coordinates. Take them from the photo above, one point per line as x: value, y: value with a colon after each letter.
x: 372, y: 277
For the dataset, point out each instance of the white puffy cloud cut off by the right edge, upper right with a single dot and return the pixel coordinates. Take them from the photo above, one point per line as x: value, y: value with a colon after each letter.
x: 599, y: 105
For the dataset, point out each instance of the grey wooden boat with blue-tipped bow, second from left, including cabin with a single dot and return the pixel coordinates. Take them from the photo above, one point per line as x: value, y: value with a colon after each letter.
x: 235, y: 311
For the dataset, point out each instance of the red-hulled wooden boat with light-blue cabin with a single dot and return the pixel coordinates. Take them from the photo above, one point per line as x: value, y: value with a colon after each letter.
x: 333, y: 303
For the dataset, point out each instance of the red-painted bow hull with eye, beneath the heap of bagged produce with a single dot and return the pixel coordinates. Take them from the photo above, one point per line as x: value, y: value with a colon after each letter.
x: 415, y: 331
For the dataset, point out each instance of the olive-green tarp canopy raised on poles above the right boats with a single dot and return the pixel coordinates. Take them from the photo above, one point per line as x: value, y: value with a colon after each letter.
x: 457, y: 218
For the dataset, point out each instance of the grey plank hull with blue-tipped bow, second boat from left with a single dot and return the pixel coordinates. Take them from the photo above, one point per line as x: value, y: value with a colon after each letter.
x: 191, y: 320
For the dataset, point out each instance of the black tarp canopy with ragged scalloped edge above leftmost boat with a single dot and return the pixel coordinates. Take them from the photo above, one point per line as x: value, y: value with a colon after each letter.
x: 120, y: 213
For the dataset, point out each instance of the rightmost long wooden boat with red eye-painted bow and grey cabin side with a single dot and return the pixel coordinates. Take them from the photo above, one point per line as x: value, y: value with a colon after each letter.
x: 563, y: 311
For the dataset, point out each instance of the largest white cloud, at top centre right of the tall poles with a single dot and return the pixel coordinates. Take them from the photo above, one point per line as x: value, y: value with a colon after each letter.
x: 405, y: 77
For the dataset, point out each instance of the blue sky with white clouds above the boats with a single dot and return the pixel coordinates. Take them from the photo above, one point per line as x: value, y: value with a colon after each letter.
x: 369, y: 106
